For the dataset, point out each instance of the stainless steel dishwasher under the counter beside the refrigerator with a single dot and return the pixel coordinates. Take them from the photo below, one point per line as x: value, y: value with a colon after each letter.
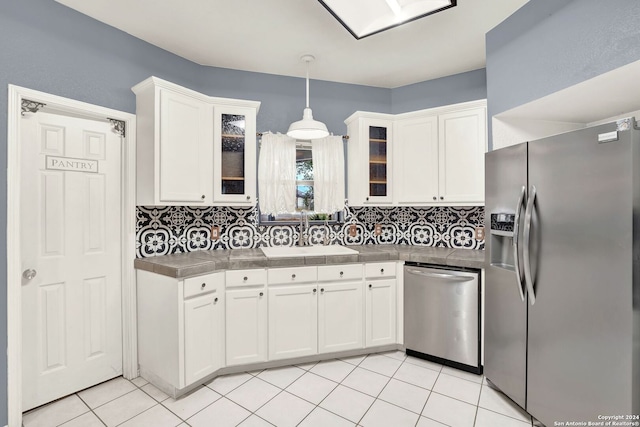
x: 442, y: 315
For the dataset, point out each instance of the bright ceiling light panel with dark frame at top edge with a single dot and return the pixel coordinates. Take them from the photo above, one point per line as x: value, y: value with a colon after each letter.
x: 363, y: 18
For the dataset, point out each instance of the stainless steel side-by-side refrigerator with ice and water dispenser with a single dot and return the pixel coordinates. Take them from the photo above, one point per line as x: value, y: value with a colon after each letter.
x: 562, y: 302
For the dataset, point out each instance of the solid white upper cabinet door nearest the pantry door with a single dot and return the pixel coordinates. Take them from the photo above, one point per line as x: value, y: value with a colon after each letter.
x: 185, y: 149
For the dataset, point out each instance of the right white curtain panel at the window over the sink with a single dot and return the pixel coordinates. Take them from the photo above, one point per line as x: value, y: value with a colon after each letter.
x: 328, y: 174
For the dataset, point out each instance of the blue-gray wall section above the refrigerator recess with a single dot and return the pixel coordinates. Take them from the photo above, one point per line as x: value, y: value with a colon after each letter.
x: 547, y: 46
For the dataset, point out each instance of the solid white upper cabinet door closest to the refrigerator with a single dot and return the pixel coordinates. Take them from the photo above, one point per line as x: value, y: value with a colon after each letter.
x: 463, y: 140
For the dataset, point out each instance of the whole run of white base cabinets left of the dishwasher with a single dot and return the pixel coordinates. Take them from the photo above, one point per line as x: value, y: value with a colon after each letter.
x: 190, y: 328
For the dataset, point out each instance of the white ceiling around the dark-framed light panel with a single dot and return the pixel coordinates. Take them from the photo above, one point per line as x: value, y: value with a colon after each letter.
x: 269, y: 36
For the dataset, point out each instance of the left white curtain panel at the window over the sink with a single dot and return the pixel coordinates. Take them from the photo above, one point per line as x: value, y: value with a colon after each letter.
x: 277, y: 174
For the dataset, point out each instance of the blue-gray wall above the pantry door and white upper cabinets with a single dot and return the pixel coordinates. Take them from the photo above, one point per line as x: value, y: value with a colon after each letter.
x: 51, y: 48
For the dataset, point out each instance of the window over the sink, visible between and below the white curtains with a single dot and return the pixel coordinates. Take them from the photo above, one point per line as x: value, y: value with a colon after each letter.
x: 304, y: 191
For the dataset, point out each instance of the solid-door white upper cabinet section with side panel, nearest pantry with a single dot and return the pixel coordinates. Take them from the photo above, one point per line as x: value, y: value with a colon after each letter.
x: 174, y: 145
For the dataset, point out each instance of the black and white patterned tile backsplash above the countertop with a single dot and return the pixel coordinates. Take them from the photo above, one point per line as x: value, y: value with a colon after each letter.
x: 176, y: 229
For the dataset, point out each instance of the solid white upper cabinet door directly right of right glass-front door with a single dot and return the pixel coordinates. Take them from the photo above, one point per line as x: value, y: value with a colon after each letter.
x: 416, y: 159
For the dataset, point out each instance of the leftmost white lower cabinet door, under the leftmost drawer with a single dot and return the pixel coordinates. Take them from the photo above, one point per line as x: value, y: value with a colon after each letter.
x: 203, y: 336
